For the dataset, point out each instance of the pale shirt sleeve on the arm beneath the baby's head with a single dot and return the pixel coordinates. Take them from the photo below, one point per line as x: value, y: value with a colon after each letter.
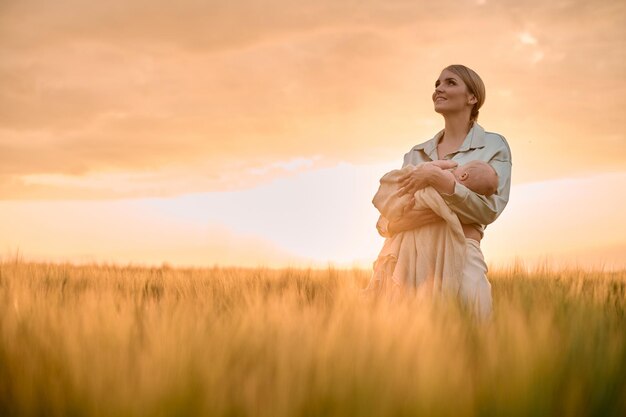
x: 475, y: 208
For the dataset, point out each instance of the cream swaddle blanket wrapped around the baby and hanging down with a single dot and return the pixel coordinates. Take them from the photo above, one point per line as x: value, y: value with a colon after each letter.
x: 430, y: 258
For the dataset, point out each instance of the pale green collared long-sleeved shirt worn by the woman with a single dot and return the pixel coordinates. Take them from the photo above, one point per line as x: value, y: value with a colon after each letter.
x: 471, y: 208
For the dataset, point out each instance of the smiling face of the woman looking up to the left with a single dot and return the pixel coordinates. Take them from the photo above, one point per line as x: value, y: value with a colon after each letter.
x: 451, y: 94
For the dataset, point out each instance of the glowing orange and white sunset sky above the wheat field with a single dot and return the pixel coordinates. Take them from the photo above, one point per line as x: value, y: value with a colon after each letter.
x: 254, y: 133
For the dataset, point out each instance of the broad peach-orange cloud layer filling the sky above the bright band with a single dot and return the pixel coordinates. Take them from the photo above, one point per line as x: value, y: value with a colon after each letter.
x: 205, y: 90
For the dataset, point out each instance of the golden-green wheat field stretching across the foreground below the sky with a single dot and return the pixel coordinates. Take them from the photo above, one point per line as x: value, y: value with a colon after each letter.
x: 137, y: 341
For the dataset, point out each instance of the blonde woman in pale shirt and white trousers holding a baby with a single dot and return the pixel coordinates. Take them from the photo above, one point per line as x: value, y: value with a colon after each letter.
x: 458, y: 96
